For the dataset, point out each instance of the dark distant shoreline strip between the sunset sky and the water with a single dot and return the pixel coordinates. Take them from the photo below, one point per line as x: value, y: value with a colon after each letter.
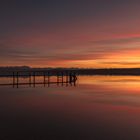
x: 8, y: 71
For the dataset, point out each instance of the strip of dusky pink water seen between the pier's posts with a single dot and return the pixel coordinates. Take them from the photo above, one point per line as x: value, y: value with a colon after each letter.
x: 34, y: 81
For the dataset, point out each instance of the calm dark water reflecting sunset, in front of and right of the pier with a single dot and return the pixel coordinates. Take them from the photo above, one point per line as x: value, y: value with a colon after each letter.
x: 98, y: 108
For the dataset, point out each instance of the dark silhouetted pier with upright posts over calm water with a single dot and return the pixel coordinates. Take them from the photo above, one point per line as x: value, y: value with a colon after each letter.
x: 62, y: 78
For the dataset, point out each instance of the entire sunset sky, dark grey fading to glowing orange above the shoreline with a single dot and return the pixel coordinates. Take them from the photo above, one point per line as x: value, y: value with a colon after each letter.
x: 70, y: 33
